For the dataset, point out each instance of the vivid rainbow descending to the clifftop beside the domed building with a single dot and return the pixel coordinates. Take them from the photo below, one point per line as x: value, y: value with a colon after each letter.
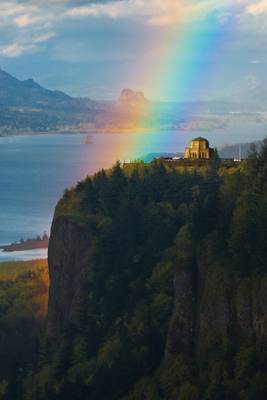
x: 178, y: 76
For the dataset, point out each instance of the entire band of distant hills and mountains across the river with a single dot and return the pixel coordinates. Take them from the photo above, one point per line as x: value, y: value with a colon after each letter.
x: 26, y: 107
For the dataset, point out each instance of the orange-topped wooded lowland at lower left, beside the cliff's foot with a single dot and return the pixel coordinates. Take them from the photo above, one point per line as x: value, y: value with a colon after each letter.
x: 23, y: 311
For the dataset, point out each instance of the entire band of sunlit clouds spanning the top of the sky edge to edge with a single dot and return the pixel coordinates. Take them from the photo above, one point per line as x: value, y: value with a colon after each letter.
x: 25, y: 19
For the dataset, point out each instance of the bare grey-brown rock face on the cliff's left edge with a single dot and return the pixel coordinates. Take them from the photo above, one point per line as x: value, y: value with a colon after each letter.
x: 67, y: 258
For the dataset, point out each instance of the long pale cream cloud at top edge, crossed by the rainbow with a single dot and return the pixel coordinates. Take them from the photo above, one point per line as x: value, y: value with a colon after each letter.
x: 158, y: 12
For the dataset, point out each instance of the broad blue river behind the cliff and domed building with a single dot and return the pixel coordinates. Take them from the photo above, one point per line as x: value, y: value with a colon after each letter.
x: 35, y: 171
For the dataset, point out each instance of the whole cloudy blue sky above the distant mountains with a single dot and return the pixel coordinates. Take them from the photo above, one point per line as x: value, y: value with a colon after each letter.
x: 170, y: 49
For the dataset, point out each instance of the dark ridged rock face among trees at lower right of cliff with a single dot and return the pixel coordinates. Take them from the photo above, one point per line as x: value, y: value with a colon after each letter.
x: 220, y: 311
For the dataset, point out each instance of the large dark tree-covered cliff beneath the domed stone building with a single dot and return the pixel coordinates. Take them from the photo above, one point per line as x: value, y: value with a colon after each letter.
x: 158, y: 285
